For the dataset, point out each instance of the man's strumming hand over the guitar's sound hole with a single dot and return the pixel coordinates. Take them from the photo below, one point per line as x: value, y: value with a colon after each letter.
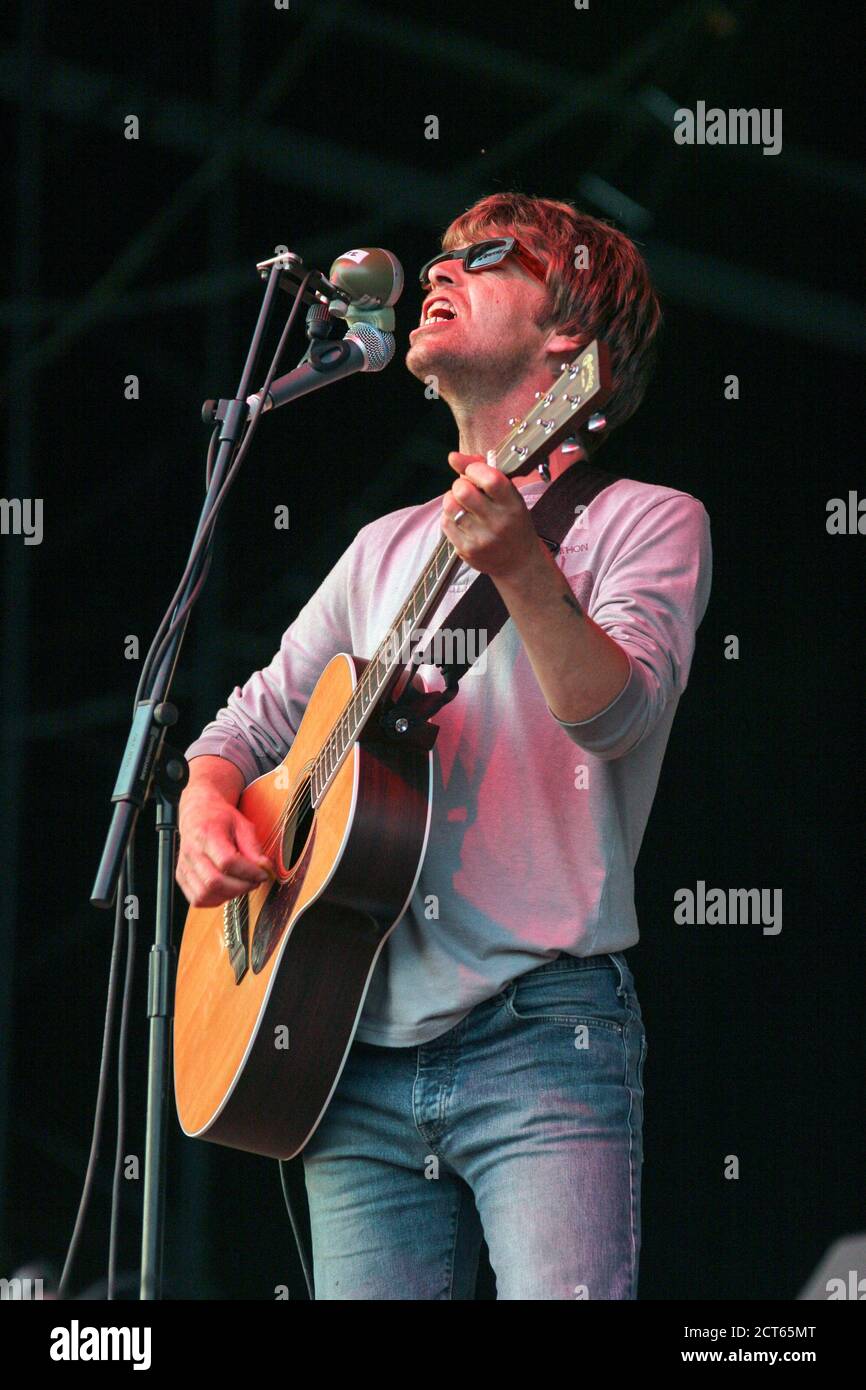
x: 220, y: 854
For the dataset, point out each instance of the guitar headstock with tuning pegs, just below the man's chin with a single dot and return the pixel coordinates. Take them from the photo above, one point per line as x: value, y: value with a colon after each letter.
x: 578, y: 394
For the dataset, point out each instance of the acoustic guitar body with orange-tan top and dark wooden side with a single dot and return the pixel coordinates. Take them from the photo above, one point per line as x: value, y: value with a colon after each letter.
x: 270, y: 988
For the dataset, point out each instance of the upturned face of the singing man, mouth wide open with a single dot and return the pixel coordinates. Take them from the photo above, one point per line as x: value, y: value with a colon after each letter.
x: 494, y: 343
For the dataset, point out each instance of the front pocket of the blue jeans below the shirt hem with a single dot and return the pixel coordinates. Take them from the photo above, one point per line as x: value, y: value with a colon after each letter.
x: 571, y: 997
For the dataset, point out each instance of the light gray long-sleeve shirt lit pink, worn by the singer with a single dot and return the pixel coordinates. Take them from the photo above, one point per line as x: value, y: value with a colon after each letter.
x: 536, y: 824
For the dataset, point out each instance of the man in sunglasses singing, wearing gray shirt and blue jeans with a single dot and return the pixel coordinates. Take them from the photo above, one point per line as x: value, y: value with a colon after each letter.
x: 496, y: 1088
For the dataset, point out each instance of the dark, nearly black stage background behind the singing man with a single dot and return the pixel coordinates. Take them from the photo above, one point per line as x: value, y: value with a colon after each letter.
x: 307, y: 127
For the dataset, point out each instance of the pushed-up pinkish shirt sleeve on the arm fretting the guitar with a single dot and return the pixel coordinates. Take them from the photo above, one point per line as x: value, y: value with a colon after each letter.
x: 651, y: 600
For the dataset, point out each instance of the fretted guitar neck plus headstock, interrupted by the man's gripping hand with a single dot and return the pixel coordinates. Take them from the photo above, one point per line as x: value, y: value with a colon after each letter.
x: 580, y: 390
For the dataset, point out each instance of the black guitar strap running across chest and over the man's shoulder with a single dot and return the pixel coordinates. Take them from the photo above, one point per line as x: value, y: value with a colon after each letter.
x: 482, y: 608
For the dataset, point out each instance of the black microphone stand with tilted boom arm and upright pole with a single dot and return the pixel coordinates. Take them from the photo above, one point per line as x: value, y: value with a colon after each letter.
x: 151, y: 769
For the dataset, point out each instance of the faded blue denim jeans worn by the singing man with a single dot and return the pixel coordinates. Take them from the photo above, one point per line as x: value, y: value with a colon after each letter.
x: 523, y: 1124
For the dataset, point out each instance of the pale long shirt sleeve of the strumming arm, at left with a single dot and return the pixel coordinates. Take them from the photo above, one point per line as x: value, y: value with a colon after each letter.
x: 259, y: 722
